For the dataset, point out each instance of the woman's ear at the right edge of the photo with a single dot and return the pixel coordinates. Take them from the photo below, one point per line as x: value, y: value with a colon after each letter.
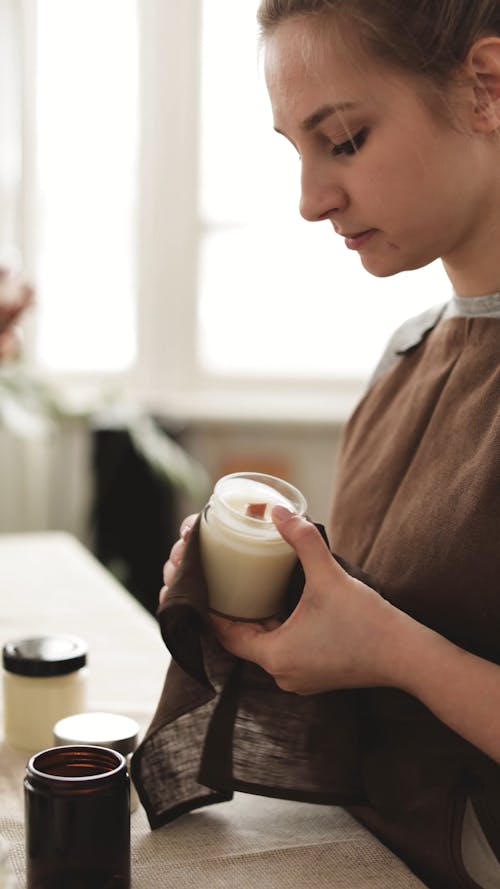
x: 483, y: 67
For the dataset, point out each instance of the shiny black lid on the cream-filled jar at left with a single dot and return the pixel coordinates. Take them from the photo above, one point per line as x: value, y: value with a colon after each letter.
x: 44, y: 655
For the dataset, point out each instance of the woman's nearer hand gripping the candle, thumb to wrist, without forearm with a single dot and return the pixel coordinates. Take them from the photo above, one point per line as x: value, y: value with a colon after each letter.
x: 341, y: 634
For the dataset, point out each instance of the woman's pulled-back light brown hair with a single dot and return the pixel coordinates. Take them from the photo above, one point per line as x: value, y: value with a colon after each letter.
x: 427, y: 37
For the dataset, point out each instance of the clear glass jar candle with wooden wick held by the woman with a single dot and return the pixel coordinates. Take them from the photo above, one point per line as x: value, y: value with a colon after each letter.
x: 246, y: 562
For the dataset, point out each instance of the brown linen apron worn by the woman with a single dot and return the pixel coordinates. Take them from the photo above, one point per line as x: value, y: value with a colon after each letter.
x: 417, y: 506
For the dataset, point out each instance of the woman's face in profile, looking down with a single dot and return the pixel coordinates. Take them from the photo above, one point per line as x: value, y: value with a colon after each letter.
x: 401, y: 184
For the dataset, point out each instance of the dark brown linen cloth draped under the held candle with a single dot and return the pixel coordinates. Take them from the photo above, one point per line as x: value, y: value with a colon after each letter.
x: 223, y: 725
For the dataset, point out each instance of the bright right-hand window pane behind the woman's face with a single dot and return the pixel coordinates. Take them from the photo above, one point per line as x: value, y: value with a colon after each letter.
x: 278, y: 296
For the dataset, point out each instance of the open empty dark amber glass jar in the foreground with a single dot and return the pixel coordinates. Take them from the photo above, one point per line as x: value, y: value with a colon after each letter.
x: 77, y: 819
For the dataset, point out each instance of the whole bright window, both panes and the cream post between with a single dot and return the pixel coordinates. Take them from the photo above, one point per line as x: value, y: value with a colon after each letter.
x: 164, y: 232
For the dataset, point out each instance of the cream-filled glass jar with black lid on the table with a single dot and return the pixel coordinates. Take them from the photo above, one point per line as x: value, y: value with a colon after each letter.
x: 44, y: 679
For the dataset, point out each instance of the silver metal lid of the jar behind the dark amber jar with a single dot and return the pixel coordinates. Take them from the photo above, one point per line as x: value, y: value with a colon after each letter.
x: 99, y: 729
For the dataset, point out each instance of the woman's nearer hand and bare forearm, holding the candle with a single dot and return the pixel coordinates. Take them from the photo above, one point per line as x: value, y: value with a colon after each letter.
x: 342, y: 634
